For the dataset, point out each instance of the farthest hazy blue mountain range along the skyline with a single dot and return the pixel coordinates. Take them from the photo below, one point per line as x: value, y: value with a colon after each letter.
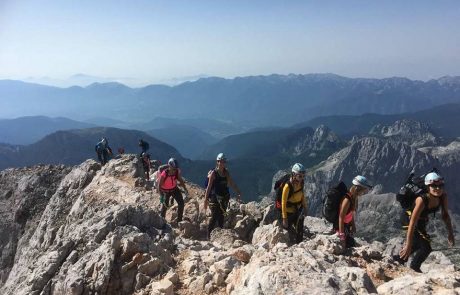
x: 248, y: 102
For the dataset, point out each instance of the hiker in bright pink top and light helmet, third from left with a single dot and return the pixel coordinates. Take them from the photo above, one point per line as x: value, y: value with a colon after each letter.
x: 167, y: 188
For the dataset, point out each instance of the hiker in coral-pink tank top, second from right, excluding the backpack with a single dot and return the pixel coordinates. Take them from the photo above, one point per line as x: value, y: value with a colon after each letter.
x: 345, y: 227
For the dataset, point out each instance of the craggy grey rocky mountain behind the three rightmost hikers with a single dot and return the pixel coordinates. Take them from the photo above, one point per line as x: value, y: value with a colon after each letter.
x: 386, y: 163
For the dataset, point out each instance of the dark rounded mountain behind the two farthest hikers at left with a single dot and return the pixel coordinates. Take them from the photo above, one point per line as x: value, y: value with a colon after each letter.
x: 75, y: 146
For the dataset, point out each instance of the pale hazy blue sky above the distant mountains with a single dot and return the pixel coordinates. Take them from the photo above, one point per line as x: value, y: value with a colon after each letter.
x: 146, y: 42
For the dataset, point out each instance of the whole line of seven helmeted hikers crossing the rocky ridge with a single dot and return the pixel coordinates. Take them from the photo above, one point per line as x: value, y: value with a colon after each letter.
x: 291, y: 204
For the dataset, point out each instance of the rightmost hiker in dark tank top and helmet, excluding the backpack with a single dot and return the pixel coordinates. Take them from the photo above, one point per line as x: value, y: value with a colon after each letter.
x: 417, y: 239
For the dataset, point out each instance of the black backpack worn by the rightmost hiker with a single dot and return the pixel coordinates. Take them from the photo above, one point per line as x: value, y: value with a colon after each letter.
x: 411, y: 189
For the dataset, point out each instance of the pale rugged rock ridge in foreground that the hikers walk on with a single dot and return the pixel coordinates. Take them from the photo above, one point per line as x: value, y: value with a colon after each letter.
x: 93, y: 230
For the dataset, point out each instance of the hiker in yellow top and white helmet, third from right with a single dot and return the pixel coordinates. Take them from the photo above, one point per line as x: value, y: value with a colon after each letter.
x: 294, y: 203
